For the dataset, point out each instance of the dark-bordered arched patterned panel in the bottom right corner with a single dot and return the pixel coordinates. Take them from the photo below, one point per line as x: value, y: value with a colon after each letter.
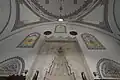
x: 108, y: 68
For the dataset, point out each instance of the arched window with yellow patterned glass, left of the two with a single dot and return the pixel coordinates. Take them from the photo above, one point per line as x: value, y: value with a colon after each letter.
x: 29, y: 41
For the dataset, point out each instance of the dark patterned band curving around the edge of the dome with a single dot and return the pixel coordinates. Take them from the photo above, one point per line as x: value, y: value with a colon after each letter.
x: 51, y: 16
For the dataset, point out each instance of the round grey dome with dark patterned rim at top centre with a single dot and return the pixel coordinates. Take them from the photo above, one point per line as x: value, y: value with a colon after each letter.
x: 64, y: 9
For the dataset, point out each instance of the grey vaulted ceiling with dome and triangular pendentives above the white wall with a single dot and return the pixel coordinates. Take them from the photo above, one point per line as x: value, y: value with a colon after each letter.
x: 16, y: 14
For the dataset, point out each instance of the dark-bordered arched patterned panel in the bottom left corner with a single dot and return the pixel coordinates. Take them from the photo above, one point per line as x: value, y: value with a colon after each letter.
x: 14, y: 65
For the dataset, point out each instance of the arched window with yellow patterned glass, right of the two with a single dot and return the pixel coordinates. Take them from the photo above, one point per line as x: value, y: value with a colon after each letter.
x: 92, y: 42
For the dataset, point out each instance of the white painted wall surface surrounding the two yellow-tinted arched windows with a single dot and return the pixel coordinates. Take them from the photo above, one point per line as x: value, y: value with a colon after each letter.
x: 8, y: 46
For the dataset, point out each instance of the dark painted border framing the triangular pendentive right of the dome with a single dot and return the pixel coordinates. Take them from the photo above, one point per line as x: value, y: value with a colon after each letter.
x: 104, y: 24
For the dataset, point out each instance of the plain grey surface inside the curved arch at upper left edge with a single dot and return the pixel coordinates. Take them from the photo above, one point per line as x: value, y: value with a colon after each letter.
x: 5, y: 14
